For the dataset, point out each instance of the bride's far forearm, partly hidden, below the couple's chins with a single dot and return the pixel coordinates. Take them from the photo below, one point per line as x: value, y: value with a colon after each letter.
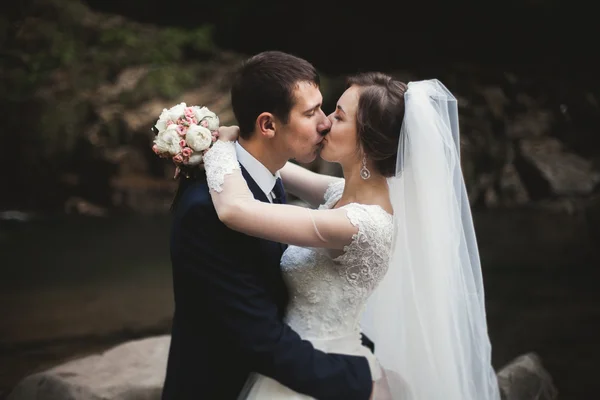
x: 307, y: 185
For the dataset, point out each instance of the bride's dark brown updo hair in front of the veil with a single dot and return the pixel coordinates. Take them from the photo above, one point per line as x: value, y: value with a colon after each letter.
x: 379, y: 118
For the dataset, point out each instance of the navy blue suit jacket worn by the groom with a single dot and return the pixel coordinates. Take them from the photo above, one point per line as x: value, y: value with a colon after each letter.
x: 229, y: 304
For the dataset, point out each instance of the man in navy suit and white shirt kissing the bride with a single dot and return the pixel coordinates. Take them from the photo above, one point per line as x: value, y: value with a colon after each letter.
x: 230, y: 297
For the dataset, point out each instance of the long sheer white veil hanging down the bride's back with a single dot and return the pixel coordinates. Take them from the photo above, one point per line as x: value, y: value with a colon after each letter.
x: 427, y: 317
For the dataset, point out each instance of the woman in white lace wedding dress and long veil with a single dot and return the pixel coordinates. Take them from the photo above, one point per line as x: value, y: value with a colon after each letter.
x: 391, y: 251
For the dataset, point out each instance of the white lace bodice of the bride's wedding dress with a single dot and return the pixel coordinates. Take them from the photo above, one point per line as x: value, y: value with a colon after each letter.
x: 328, y: 294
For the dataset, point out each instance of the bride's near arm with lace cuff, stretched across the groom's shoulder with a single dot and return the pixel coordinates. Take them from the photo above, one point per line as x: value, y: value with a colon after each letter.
x: 237, y: 208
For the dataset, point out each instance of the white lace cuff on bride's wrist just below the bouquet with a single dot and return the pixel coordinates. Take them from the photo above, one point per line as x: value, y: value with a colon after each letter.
x: 220, y: 160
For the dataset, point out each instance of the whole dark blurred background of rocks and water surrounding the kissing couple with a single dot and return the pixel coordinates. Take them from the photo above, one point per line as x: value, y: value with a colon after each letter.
x: 82, y: 82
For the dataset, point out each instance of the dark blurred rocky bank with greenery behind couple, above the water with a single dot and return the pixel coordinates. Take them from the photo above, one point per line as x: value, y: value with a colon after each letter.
x: 80, y: 88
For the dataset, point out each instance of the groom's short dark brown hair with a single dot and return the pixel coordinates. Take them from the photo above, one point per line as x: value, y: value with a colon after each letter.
x: 265, y: 83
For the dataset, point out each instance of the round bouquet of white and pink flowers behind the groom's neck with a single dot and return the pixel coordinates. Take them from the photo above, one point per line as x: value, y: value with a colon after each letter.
x: 184, y: 134
